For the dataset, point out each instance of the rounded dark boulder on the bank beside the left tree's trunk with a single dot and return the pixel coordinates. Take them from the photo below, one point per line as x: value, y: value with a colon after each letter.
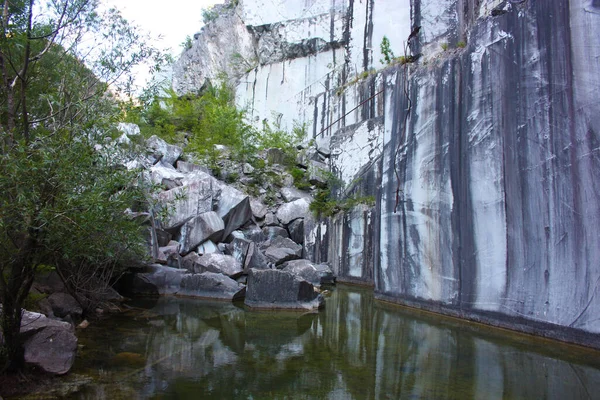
x: 50, y: 344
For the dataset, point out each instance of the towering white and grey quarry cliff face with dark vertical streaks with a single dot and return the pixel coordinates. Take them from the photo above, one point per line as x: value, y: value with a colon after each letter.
x: 482, y: 151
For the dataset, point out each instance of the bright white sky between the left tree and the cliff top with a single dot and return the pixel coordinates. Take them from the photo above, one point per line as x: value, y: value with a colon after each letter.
x: 172, y: 19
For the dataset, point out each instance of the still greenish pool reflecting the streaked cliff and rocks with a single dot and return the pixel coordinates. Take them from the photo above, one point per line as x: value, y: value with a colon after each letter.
x: 356, y: 348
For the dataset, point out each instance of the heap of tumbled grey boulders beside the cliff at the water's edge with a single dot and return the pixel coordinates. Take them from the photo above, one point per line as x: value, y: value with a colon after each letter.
x: 210, y: 239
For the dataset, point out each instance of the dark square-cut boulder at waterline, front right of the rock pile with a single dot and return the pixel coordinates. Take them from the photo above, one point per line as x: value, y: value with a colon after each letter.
x: 276, y: 289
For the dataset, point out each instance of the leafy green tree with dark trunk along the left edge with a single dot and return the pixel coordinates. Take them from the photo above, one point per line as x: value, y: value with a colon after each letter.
x: 62, y: 201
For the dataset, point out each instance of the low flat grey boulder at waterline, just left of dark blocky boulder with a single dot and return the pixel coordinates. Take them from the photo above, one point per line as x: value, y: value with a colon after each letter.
x: 212, y: 285
